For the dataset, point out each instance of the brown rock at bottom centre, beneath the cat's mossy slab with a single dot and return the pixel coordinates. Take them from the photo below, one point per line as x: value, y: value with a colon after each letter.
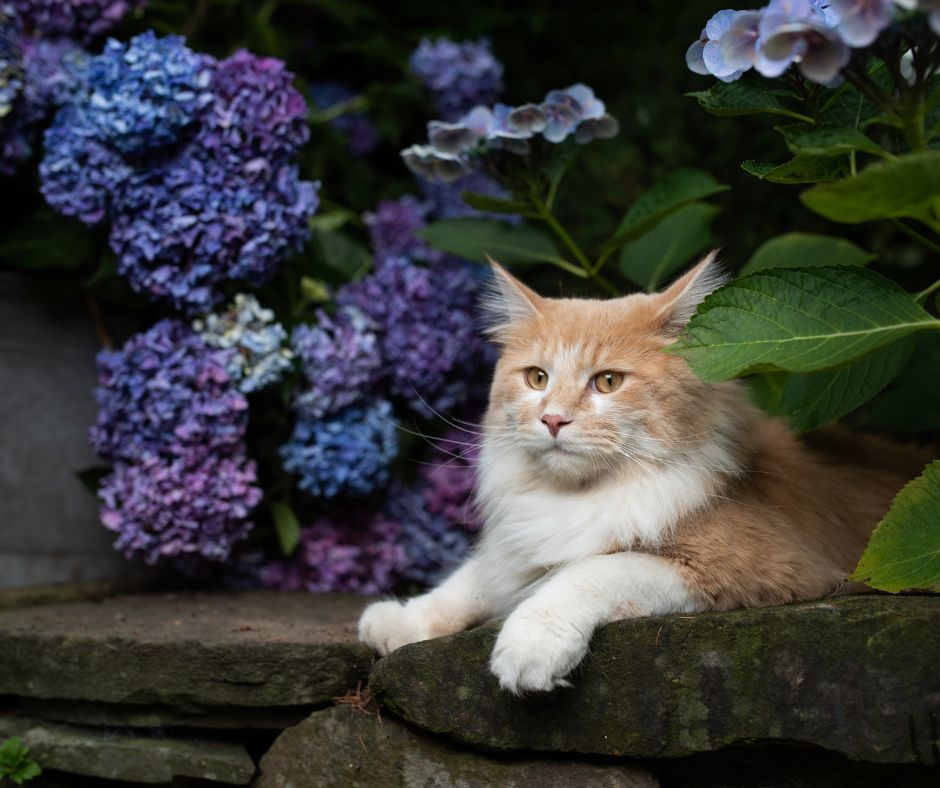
x: 344, y: 748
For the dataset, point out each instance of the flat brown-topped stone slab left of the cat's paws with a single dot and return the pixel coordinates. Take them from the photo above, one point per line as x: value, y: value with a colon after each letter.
x: 186, y: 650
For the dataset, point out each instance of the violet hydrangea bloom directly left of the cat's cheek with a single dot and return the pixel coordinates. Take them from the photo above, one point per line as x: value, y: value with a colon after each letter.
x: 428, y: 339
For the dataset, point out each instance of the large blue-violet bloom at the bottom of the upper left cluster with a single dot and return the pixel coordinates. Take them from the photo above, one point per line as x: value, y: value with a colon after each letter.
x: 183, y: 229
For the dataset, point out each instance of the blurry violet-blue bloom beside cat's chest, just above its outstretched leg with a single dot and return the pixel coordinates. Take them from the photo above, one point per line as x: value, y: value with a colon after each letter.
x: 432, y: 544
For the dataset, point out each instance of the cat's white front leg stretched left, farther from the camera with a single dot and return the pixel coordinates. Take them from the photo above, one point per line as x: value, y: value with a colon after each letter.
x: 459, y: 602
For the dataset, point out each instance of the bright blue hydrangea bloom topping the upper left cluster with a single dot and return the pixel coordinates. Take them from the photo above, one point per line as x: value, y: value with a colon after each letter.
x: 142, y: 94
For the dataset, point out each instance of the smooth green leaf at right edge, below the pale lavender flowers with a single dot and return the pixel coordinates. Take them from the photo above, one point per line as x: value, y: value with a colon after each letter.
x: 907, y: 186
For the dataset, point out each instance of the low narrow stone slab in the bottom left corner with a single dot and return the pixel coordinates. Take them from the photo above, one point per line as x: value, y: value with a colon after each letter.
x: 92, y: 753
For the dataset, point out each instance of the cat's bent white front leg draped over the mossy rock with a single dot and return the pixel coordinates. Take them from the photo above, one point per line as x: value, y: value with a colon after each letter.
x: 548, y: 634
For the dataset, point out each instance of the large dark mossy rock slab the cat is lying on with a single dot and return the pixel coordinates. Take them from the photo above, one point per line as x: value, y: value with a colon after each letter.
x: 856, y: 675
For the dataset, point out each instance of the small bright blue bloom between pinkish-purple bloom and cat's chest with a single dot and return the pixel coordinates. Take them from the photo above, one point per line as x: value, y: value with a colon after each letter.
x: 348, y: 453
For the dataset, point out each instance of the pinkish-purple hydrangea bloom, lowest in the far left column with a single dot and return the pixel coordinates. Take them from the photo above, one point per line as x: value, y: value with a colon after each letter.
x: 196, y: 505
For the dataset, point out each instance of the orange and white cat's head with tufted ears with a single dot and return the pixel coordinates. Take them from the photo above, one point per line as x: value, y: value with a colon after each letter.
x: 583, y: 388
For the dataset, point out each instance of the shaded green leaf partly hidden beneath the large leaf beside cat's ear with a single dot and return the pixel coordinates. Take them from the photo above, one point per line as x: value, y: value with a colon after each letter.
x: 812, y: 399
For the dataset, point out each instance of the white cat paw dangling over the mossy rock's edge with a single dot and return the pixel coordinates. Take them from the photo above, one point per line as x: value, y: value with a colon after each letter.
x: 534, y: 653
